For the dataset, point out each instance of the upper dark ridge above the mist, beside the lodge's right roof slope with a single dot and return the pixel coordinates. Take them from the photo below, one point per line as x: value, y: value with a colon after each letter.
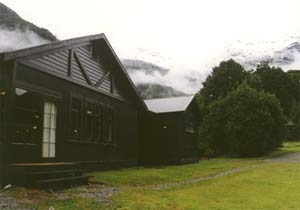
x: 133, y: 65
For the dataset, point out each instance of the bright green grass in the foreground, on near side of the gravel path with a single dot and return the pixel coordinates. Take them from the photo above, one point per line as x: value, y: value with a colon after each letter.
x: 270, y: 187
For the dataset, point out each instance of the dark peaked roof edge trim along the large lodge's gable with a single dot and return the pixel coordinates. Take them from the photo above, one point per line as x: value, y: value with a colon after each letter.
x: 54, y: 46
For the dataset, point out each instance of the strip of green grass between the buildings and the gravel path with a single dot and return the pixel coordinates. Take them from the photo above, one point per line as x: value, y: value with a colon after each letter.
x: 149, y: 176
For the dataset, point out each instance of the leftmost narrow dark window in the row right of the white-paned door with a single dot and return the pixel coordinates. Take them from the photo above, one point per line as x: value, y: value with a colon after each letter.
x: 75, y: 118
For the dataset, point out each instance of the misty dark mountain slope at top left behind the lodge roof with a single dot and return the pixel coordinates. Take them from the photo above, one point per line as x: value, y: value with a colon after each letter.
x: 17, y: 33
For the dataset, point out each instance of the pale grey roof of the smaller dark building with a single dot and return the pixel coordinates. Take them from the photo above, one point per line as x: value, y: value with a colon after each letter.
x: 173, y: 104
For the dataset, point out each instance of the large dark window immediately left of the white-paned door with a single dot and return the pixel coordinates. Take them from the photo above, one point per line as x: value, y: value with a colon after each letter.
x: 28, y: 117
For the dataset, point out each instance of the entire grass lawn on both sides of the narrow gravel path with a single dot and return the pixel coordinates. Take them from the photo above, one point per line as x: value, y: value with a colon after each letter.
x: 270, y: 186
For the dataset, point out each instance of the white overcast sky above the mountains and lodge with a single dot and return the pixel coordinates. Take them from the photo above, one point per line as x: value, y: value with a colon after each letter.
x: 187, y: 34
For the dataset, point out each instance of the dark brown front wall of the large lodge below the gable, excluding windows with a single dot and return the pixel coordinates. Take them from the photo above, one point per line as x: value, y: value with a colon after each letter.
x: 125, y: 147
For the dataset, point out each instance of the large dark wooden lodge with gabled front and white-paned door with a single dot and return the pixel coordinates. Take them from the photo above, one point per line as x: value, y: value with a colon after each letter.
x: 66, y: 107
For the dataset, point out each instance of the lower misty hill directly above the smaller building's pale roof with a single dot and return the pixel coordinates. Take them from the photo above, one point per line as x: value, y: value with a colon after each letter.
x: 152, y: 90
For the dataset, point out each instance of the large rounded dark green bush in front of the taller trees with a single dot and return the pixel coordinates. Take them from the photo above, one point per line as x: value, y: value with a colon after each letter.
x: 246, y: 122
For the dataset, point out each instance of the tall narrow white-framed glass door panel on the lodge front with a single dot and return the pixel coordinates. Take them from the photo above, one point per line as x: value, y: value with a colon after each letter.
x: 49, y: 130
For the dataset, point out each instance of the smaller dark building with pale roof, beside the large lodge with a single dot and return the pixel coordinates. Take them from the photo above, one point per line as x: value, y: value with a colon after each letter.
x: 170, y: 131
